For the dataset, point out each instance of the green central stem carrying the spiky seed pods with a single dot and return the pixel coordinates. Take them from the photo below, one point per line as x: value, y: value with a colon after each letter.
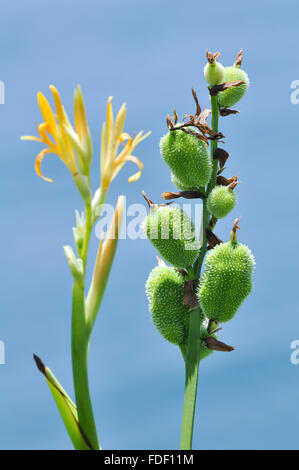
x: 192, y: 354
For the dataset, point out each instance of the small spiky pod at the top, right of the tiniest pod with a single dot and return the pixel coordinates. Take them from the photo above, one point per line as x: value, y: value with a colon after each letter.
x: 232, y: 95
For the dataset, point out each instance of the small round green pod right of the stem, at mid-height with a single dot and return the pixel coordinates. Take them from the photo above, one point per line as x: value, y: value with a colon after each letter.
x: 221, y: 201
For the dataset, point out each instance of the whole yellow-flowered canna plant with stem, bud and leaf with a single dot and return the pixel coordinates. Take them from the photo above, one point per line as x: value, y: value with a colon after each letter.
x: 73, y: 145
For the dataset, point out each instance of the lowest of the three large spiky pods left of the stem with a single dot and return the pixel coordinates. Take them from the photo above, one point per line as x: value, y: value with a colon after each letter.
x: 165, y: 292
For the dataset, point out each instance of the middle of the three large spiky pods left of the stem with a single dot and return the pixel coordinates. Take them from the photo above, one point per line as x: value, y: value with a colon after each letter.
x: 172, y: 233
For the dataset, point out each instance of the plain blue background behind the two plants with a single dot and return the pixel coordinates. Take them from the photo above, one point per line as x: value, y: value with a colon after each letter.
x: 148, y: 54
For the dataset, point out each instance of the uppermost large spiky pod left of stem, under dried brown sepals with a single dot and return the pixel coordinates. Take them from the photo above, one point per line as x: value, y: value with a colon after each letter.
x: 188, y: 158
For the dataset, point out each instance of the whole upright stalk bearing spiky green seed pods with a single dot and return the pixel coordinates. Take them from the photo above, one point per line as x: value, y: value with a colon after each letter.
x: 215, y: 295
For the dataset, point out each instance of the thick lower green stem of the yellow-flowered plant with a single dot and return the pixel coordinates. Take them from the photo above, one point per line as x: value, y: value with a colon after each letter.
x: 80, y: 344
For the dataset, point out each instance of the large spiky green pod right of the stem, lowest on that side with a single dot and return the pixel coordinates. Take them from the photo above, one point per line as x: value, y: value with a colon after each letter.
x: 227, y: 280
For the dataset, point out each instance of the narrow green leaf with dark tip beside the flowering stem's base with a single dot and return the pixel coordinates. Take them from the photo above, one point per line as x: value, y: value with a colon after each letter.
x: 66, y: 407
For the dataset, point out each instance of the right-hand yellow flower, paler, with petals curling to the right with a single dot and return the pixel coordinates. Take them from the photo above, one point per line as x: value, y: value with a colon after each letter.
x: 112, y: 137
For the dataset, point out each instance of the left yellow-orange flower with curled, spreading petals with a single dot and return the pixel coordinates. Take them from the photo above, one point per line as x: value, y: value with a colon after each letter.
x: 57, y: 133
